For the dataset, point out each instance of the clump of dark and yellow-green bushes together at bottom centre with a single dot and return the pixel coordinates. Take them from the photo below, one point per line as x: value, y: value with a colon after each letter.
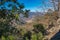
x: 36, y: 34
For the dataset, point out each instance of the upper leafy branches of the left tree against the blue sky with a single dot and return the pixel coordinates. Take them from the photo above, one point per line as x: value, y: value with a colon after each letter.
x: 11, y: 13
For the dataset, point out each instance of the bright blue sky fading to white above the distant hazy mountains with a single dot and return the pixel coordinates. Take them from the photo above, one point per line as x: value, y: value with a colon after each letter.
x: 35, y: 5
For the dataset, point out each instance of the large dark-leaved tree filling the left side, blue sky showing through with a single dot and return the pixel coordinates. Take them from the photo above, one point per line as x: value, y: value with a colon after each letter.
x: 7, y: 15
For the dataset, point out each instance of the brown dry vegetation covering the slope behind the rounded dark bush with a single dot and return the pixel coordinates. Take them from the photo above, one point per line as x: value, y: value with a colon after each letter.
x: 46, y: 20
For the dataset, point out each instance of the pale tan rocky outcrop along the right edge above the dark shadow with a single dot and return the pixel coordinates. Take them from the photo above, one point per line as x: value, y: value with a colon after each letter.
x: 53, y: 30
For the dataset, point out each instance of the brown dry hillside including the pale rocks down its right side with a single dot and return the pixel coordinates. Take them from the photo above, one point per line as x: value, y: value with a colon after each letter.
x: 48, y: 20
